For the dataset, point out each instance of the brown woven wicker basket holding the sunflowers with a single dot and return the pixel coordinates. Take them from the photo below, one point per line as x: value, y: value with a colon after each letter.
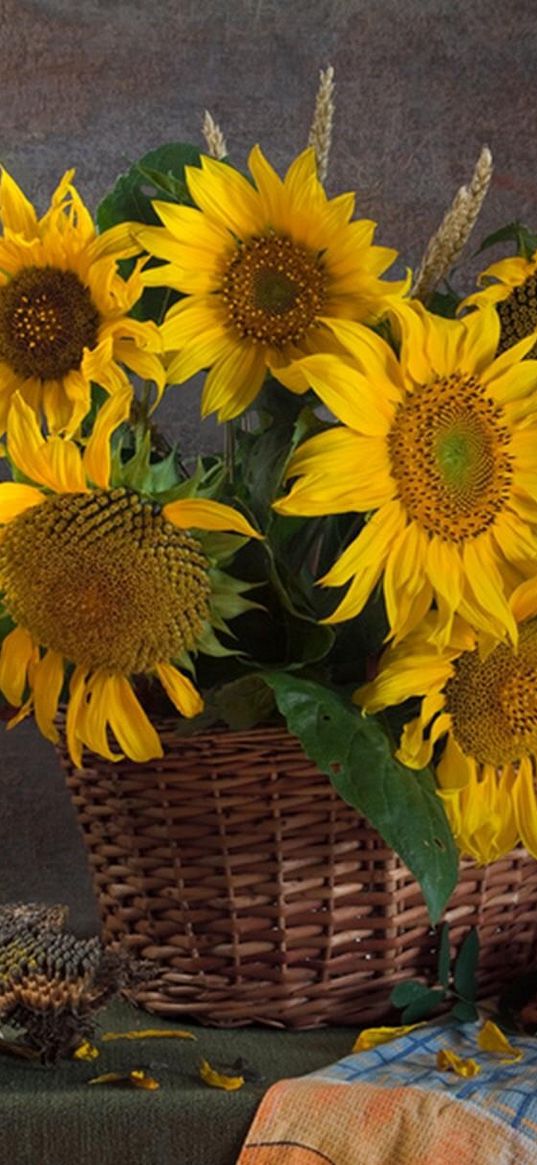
x: 263, y: 898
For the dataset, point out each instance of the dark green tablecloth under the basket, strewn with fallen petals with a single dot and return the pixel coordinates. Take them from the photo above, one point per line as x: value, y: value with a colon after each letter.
x: 51, y: 1117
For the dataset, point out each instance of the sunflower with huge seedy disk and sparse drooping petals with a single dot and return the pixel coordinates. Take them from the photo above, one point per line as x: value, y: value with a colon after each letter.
x: 103, y: 582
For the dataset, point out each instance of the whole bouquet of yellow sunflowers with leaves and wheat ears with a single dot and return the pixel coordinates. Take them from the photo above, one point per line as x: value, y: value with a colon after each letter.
x: 358, y: 561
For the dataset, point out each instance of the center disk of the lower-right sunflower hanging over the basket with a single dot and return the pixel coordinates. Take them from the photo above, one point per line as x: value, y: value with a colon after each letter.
x: 493, y: 702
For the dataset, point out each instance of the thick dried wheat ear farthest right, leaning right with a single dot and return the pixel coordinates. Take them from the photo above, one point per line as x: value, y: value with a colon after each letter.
x: 447, y: 245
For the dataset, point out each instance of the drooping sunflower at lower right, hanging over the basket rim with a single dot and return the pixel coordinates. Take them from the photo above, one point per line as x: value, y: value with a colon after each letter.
x: 484, y: 710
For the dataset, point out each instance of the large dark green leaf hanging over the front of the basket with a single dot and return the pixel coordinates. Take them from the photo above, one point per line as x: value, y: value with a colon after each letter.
x: 356, y: 754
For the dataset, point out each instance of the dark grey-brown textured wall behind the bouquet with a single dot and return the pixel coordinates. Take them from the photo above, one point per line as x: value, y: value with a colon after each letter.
x: 421, y: 87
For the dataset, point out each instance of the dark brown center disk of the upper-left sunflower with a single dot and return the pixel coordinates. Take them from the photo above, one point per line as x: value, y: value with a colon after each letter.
x: 47, y: 320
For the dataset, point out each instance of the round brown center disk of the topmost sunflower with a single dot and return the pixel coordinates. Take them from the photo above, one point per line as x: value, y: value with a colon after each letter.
x: 273, y: 291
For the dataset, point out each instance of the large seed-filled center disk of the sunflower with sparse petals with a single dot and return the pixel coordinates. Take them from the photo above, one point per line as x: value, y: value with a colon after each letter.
x: 104, y: 580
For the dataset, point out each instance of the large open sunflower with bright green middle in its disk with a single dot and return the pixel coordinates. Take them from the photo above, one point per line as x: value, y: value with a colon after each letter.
x: 440, y: 450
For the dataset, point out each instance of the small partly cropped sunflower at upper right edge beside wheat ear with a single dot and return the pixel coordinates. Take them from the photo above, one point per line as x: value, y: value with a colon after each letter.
x: 511, y: 286
